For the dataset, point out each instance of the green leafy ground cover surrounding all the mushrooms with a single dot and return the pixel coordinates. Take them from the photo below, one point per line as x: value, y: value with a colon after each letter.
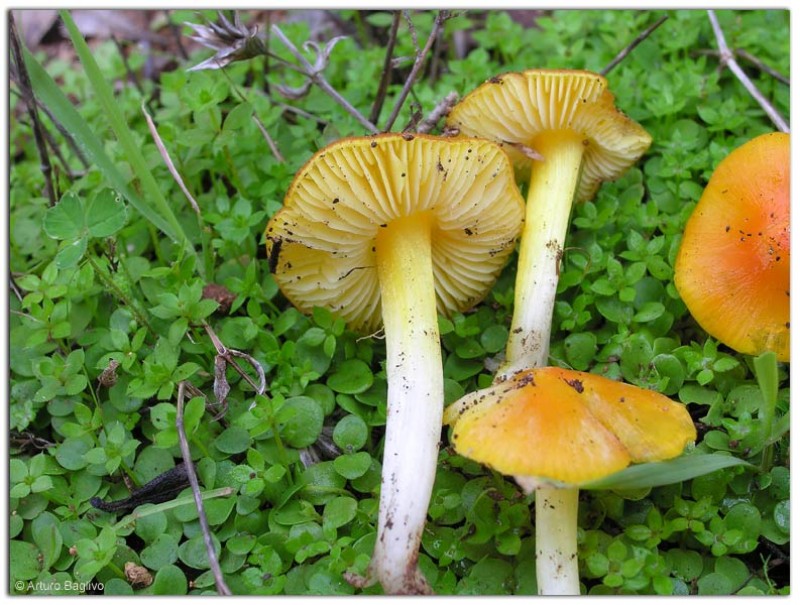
x: 122, y: 290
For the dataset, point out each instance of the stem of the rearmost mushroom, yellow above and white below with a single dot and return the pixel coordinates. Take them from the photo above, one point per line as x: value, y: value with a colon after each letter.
x: 550, y: 194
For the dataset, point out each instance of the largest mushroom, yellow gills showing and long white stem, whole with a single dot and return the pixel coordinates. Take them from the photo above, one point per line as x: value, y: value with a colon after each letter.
x: 389, y: 229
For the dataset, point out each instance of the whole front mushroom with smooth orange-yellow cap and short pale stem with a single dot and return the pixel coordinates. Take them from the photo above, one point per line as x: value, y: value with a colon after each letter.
x: 558, y: 429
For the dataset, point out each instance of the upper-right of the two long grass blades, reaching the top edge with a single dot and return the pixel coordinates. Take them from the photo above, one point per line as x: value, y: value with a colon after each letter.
x: 120, y: 126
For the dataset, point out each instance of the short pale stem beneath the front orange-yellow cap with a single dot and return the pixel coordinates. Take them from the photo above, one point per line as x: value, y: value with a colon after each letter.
x: 557, y: 541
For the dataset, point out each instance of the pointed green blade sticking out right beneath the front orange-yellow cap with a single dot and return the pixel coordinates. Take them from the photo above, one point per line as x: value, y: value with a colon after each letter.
x: 664, y: 473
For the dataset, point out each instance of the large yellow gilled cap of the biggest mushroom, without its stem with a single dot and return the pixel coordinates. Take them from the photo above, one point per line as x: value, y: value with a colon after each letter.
x: 321, y: 245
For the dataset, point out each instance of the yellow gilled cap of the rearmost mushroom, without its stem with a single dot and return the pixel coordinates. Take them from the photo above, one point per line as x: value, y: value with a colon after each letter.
x: 517, y: 108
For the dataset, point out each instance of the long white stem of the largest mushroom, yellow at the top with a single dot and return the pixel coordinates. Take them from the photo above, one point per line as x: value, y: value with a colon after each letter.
x: 415, y: 401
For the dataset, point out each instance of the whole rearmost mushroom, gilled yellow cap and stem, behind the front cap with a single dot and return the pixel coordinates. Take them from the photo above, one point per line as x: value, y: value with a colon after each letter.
x: 567, y: 118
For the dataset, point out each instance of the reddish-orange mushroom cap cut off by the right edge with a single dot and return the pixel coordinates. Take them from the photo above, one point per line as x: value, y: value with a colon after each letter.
x: 732, y: 269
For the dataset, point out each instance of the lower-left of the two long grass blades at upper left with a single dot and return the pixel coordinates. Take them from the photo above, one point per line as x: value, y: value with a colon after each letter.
x: 50, y: 94
